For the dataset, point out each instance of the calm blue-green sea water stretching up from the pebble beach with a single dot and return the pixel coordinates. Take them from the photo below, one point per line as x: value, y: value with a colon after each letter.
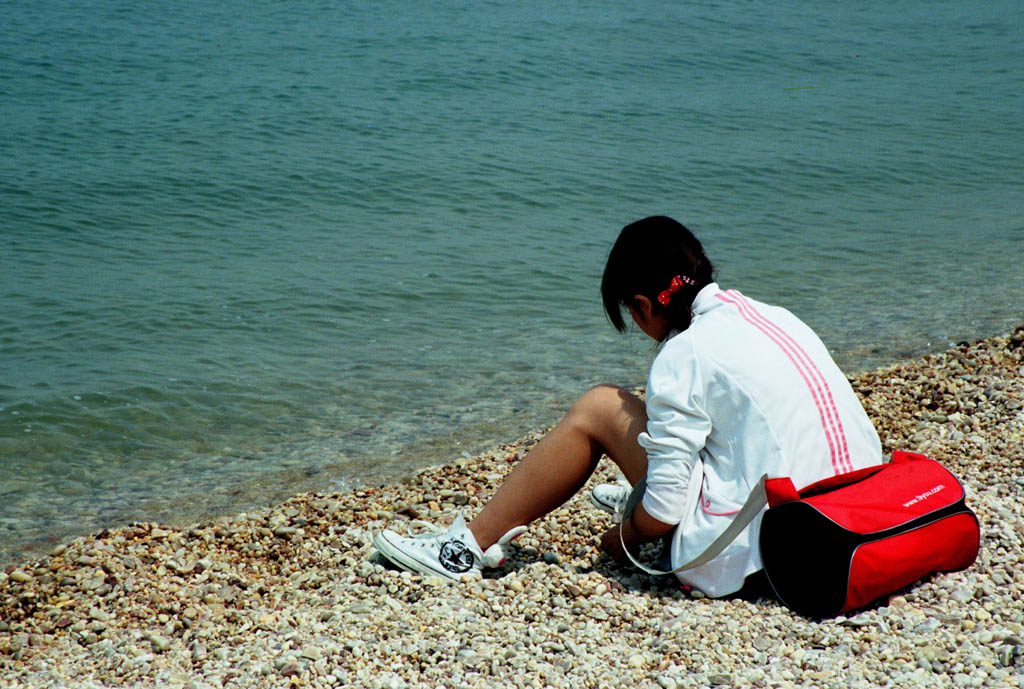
x: 311, y: 245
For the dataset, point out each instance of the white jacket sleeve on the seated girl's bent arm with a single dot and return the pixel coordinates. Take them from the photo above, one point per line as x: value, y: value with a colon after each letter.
x: 678, y: 426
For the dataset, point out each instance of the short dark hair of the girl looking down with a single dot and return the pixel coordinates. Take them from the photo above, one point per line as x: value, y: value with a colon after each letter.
x: 647, y: 256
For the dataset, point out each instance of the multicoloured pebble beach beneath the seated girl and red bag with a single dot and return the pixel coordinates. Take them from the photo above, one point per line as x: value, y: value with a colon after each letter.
x: 294, y: 596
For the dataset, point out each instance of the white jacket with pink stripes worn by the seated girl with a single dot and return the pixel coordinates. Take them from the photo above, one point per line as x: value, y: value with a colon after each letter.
x: 747, y: 390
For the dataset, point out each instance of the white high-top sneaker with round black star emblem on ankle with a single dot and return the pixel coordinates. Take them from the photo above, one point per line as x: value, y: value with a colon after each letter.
x: 451, y: 553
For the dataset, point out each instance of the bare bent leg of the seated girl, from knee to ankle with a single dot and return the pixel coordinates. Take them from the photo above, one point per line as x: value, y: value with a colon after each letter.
x: 606, y: 421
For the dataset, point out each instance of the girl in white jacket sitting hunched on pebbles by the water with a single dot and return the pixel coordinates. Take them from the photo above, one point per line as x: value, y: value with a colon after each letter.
x: 738, y: 390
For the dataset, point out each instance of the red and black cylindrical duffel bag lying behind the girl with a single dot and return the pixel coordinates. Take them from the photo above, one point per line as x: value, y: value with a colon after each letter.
x: 844, y: 542
